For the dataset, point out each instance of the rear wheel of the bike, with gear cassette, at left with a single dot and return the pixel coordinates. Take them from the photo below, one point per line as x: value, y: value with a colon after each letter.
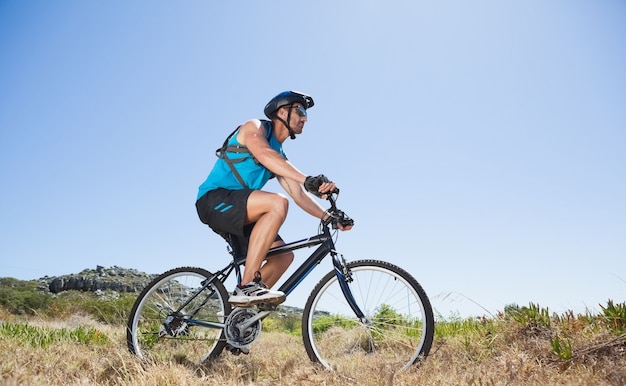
x: 146, y: 334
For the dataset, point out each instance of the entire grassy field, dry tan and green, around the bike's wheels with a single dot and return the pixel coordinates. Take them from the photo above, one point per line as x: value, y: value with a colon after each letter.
x: 520, y: 346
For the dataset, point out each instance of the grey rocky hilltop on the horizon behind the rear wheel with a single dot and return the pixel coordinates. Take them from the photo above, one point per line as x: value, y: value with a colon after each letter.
x: 115, y: 278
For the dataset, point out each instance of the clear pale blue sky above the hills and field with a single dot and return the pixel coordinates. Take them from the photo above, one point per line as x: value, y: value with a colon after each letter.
x: 481, y: 145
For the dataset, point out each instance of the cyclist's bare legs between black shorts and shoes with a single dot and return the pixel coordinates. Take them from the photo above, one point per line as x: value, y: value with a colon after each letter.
x: 268, y: 211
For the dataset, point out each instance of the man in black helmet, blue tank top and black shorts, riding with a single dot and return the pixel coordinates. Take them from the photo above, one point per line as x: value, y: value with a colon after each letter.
x: 231, y: 201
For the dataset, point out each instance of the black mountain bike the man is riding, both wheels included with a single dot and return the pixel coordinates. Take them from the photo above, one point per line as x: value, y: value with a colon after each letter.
x: 361, y: 313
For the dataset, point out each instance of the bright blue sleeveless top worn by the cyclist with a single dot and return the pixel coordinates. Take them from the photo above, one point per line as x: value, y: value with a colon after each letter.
x: 254, y: 174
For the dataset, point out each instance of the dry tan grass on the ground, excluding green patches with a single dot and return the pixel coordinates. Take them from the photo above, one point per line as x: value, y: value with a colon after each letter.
x: 507, y: 354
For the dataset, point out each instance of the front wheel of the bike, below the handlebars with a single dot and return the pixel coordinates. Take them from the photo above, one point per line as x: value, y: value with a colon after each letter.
x: 400, y: 324
